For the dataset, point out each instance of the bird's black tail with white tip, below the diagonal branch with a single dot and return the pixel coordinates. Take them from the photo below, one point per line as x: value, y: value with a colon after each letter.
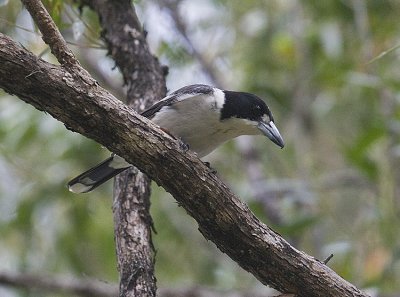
x: 98, y: 174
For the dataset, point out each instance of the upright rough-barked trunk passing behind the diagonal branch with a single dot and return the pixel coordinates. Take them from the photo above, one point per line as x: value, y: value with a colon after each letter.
x: 124, y: 37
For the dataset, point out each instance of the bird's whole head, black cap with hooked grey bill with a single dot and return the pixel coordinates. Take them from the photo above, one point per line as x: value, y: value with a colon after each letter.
x: 254, y: 111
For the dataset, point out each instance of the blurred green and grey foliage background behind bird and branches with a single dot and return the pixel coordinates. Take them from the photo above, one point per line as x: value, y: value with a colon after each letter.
x: 335, y: 186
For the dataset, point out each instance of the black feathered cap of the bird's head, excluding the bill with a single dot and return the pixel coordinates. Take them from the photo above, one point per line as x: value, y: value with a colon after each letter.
x: 244, y: 106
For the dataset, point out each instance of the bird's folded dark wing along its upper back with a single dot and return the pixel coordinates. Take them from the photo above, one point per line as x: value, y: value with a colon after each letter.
x: 175, y: 97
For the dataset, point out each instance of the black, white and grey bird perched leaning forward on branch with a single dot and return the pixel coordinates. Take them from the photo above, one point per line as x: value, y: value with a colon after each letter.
x: 203, y: 117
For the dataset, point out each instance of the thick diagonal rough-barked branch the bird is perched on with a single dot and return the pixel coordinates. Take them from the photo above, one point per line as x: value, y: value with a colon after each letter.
x: 86, y: 108
